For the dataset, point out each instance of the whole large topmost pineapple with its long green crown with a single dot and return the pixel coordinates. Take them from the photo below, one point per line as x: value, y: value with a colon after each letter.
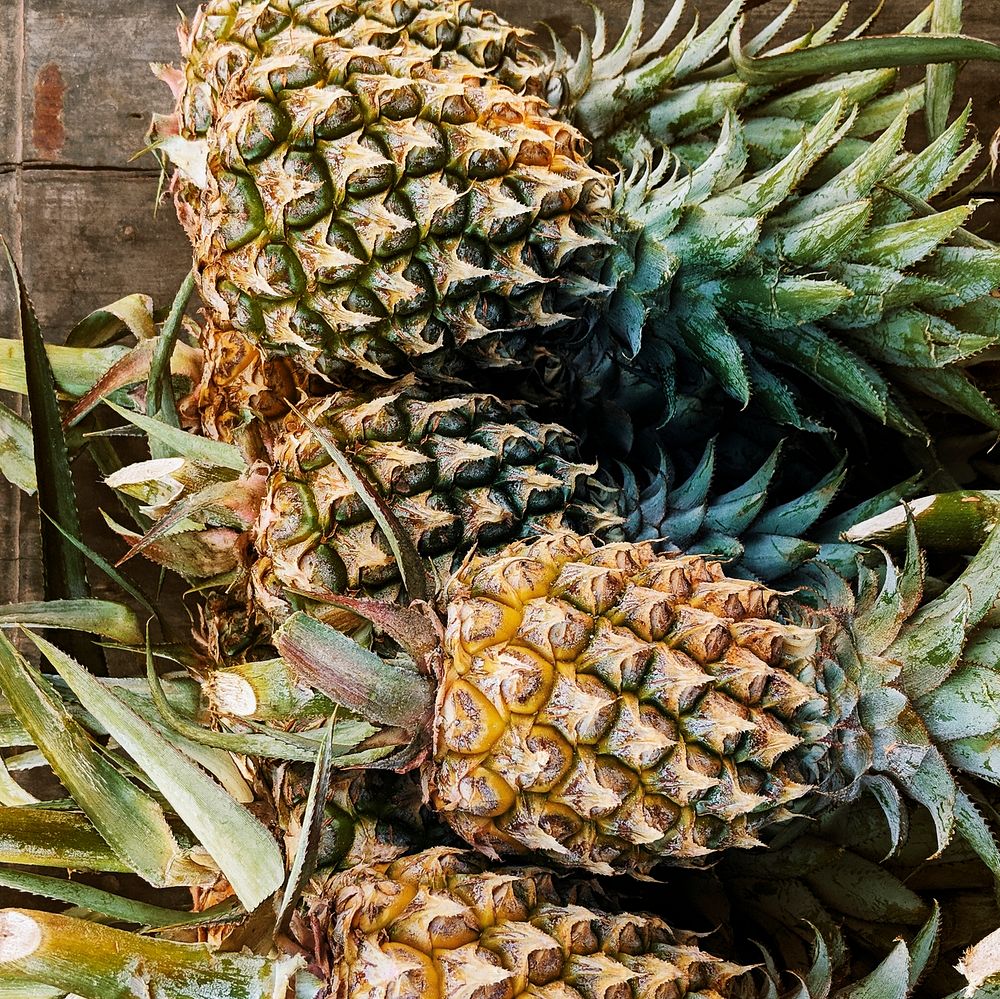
x: 381, y: 189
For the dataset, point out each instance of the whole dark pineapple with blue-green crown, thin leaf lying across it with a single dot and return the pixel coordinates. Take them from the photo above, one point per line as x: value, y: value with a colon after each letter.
x: 457, y: 474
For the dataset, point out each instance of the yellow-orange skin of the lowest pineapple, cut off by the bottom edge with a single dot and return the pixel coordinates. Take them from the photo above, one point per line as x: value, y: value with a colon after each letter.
x: 436, y: 925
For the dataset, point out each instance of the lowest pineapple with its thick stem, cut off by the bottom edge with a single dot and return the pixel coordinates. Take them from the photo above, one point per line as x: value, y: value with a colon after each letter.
x: 438, y: 923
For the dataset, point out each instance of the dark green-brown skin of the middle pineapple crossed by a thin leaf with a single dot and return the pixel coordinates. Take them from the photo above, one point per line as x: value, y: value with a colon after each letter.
x: 458, y: 473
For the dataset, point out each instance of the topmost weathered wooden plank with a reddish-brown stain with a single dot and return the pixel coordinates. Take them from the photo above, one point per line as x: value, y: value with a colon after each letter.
x: 88, y: 90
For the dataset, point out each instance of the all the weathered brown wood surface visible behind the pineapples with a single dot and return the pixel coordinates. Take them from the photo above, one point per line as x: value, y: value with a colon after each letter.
x: 76, y: 93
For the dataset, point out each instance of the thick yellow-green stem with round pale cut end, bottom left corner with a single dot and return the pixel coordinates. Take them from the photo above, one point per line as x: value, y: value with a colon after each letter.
x: 98, y: 962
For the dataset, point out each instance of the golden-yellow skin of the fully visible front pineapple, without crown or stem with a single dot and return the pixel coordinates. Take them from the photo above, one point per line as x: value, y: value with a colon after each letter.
x: 607, y: 707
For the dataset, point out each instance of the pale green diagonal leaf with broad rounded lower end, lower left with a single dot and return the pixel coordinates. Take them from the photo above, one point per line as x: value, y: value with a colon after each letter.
x: 218, y: 821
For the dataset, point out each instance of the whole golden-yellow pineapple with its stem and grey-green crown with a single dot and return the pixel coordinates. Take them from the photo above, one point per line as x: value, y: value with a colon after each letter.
x: 611, y: 708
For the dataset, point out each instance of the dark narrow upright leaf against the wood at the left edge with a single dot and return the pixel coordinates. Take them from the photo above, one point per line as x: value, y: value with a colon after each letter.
x: 64, y: 568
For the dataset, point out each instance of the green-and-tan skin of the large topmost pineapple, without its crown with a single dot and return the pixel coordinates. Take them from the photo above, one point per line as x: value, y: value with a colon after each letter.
x: 363, y: 196
